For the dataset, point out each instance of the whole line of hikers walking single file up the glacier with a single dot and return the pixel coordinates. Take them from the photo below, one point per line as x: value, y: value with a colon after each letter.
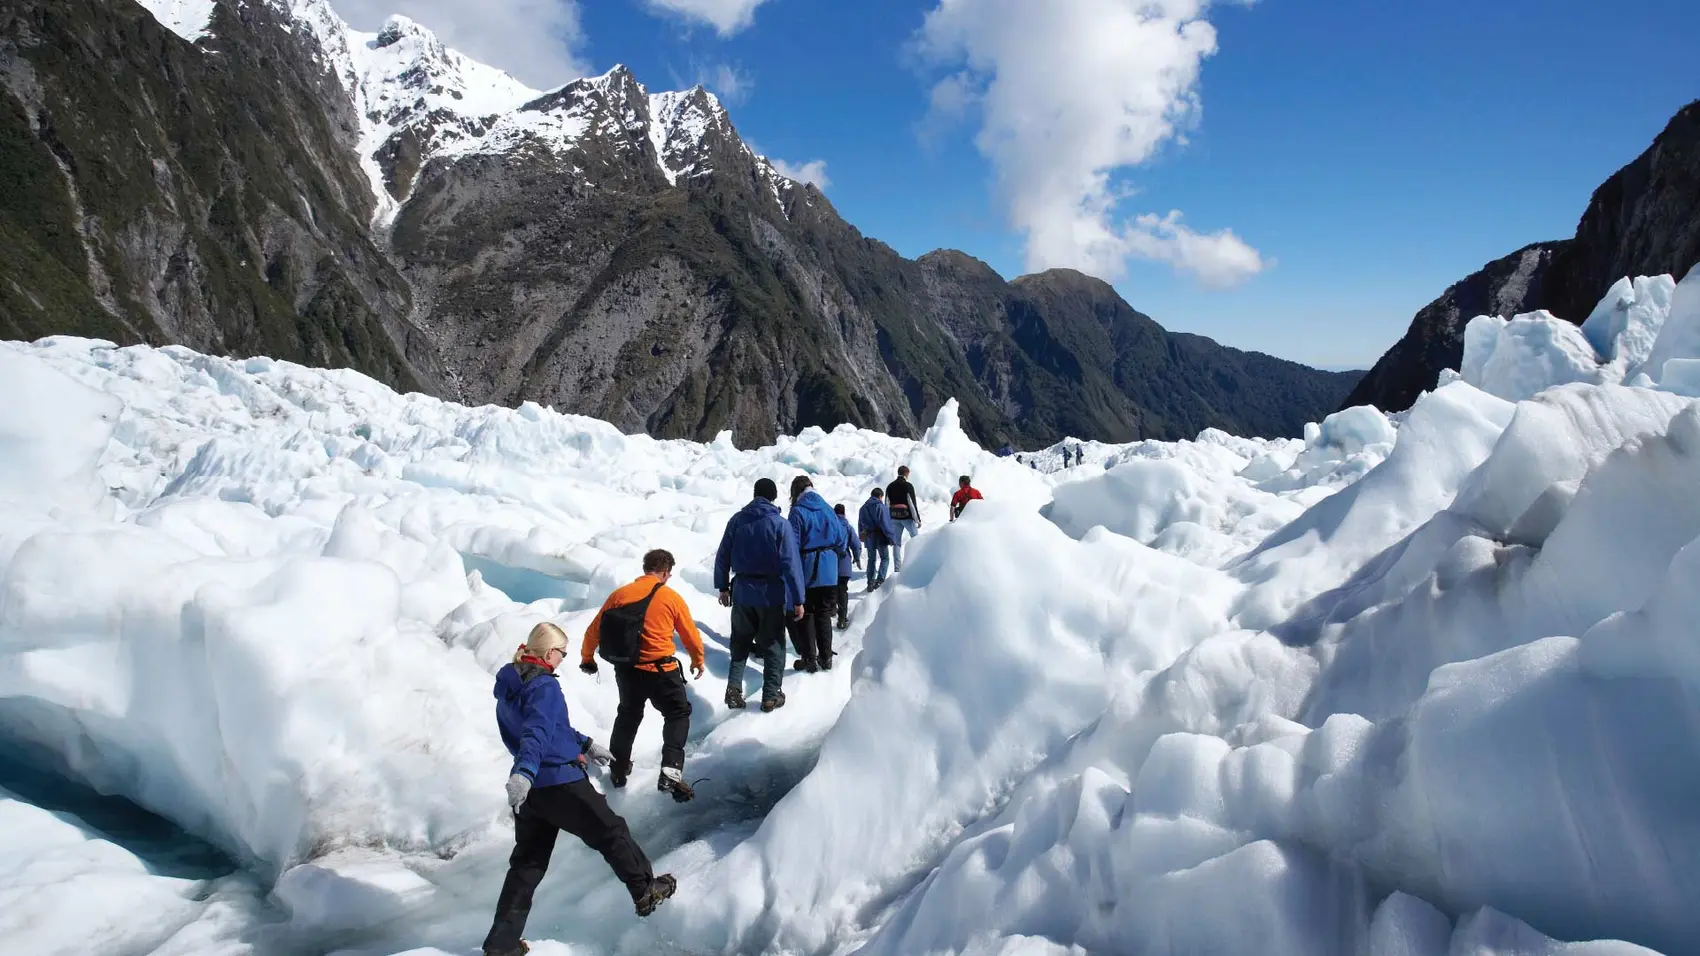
x: 781, y: 574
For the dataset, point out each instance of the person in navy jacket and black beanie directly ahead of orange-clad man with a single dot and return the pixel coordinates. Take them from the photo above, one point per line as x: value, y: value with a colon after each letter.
x: 759, y: 574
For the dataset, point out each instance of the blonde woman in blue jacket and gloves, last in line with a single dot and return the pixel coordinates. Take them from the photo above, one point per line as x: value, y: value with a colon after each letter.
x: 550, y: 792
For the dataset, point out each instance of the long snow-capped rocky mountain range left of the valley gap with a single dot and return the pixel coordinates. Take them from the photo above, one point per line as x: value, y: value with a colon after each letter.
x: 252, y: 176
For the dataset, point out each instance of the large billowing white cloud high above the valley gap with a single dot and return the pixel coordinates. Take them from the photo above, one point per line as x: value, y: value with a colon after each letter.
x: 1070, y: 93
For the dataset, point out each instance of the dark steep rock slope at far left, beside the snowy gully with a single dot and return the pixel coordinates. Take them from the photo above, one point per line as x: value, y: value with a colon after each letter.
x: 161, y: 193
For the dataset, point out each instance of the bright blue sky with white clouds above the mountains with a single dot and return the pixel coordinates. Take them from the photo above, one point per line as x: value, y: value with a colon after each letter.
x: 1361, y: 156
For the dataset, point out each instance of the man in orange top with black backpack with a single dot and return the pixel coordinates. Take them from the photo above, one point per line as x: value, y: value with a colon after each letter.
x: 635, y: 634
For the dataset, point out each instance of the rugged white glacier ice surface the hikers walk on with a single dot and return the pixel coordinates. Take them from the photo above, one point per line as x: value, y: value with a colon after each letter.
x: 1419, y: 685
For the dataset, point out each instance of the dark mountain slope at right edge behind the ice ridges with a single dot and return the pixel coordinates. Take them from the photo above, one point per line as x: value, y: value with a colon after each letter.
x: 1641, y: 222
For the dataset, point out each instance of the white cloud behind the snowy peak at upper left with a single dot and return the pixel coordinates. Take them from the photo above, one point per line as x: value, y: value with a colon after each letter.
x: 538, y: 42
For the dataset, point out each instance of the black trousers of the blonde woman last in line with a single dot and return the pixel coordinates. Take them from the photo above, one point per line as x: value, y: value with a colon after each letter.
x: 579, y: 811
